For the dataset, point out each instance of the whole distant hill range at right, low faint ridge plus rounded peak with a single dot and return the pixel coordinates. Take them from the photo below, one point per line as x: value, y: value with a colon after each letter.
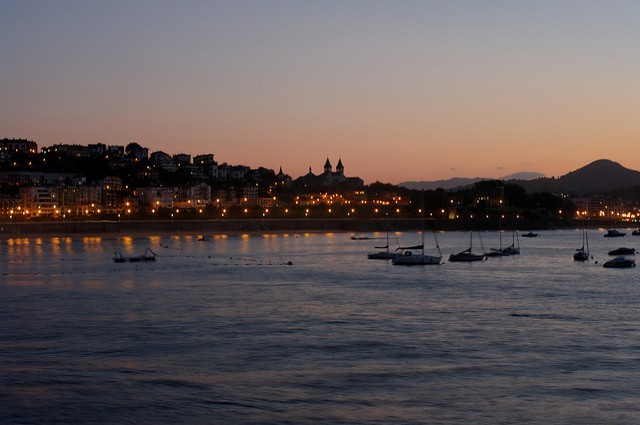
x: 600, y: 176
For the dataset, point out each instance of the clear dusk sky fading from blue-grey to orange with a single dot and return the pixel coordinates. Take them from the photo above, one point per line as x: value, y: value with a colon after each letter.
x: 399, y: 90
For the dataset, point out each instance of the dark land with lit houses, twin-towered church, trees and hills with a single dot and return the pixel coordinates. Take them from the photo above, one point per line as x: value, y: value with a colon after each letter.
x: 102, y: 182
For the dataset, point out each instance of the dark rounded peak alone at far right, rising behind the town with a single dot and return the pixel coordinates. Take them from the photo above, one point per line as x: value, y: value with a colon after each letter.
x: 600, y: 176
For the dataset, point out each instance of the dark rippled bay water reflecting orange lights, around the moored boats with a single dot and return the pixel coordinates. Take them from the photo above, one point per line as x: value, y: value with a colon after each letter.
x: 303, y: 328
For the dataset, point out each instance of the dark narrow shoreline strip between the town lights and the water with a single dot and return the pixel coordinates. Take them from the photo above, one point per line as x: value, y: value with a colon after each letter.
x: 234, y: 226
